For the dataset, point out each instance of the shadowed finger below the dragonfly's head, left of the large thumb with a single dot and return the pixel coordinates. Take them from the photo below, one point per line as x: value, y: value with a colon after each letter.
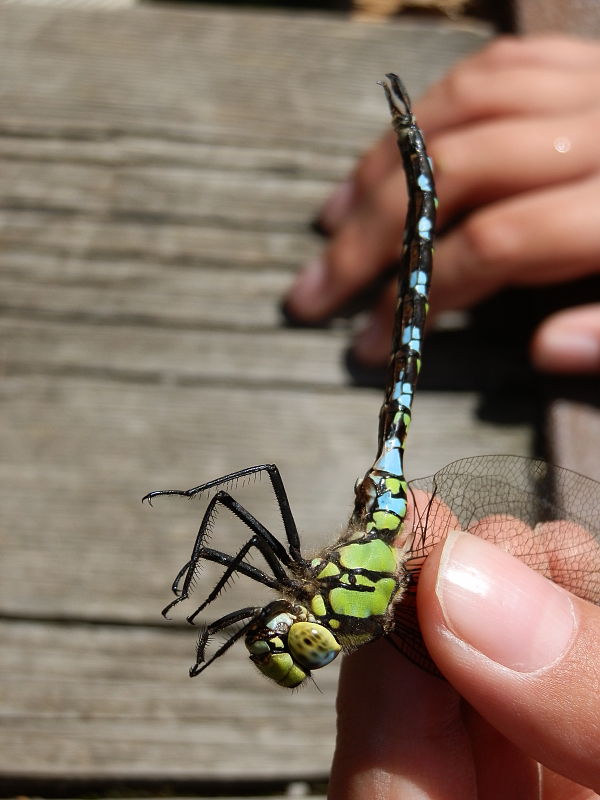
x: 400, y: 732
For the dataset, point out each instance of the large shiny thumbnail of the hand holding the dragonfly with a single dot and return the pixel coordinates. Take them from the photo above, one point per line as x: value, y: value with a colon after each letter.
x: 496, y: 604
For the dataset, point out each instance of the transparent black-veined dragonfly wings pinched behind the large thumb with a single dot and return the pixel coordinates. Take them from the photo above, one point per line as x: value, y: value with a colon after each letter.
x: 547, y: 516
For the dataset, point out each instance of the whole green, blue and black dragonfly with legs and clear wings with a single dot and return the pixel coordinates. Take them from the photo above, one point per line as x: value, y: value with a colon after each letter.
x: 363, y: 586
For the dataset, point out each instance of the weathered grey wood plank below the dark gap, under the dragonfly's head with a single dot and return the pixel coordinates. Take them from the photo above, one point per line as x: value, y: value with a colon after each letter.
x: 115, y: 701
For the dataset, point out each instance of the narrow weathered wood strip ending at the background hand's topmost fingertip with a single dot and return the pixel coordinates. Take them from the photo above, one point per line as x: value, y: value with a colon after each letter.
x: 178, y: 193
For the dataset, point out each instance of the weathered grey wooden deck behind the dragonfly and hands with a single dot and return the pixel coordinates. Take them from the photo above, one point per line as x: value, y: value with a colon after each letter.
x: 160, y: 167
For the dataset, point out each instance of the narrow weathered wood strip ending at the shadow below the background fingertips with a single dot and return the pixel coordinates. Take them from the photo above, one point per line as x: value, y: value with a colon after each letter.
x: 179, y: 355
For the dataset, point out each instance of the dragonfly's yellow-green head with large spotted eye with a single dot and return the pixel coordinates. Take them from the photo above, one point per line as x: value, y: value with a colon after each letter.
x: 286, y: 643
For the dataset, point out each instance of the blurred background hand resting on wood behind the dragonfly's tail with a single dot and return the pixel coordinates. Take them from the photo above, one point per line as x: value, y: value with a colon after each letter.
x: 513, y: 133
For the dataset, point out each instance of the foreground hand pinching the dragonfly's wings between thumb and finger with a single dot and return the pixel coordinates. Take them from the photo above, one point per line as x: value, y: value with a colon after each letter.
x: 522, y: 657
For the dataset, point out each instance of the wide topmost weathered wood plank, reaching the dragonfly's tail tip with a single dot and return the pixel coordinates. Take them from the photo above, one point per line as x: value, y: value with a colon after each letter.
x: 252, y: 76
